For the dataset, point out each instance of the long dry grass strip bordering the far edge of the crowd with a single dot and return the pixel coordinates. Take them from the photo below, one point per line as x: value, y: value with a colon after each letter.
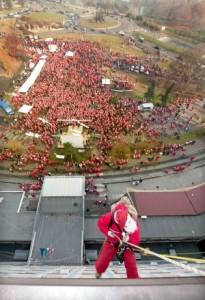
x: 115, y: 43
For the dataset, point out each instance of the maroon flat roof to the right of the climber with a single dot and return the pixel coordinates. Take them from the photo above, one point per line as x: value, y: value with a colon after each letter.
x: 171, y: 203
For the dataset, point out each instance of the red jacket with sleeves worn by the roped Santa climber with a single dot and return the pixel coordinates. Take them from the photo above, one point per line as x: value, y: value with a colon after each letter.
x: 104, y: 223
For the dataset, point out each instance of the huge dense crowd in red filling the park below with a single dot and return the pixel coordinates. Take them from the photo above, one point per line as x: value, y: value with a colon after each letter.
x: 71, y: 88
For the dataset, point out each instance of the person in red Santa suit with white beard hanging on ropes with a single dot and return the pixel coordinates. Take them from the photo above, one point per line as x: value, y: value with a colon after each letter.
x: 121, y: 223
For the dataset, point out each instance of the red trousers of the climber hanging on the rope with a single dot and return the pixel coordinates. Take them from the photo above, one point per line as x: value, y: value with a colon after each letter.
x: 108, y: 251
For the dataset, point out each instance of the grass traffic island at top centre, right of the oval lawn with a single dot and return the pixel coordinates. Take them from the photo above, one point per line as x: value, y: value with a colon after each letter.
x: 90, y: 23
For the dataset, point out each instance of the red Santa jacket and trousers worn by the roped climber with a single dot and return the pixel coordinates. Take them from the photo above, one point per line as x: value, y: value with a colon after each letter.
x: 106, y: 224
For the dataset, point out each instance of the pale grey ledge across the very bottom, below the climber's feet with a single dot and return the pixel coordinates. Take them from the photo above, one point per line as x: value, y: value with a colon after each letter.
x: 149, y: 289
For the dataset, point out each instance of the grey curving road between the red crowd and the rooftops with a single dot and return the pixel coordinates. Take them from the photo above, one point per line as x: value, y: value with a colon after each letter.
x: 116, y: 187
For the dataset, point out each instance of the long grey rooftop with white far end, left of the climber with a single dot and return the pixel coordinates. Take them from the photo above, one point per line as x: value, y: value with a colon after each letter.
x: 59, y: 221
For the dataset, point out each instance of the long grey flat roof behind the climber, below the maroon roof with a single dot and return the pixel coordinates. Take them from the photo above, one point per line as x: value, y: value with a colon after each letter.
x: 158, y: 228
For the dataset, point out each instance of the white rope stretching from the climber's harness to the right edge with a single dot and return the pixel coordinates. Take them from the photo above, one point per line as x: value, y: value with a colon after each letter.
x: 163, y: 257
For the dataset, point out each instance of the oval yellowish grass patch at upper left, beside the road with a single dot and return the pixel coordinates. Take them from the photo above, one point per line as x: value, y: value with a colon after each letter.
x: 44, y: 17
